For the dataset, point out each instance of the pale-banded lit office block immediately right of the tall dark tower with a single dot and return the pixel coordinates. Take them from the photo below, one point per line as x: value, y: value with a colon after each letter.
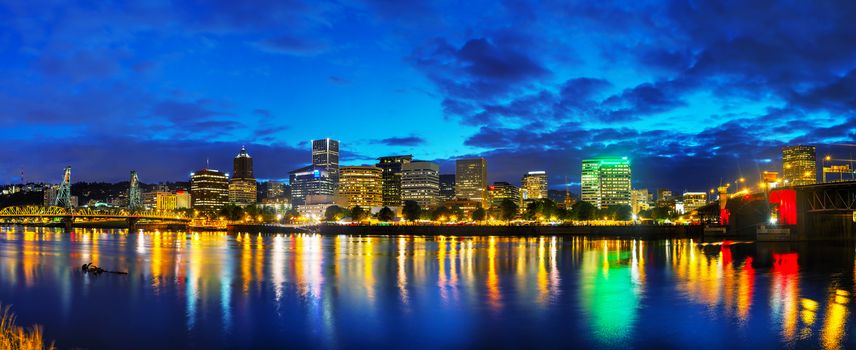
x: 420, y: 182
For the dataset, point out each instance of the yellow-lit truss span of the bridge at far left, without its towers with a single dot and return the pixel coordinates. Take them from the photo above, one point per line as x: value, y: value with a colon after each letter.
x: 52, y: 214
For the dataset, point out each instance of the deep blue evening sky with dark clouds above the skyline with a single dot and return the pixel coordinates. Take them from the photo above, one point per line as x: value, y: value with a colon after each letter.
x: 694, y: 93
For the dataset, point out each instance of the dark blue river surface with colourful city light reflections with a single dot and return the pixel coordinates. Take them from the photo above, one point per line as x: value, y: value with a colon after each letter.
x: 210, y: 290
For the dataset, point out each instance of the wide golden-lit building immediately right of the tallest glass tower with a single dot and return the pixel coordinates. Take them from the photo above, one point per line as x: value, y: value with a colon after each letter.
x: 360, y: 185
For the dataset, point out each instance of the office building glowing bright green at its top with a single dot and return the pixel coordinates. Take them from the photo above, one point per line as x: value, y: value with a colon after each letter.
x: 606, y: 181
